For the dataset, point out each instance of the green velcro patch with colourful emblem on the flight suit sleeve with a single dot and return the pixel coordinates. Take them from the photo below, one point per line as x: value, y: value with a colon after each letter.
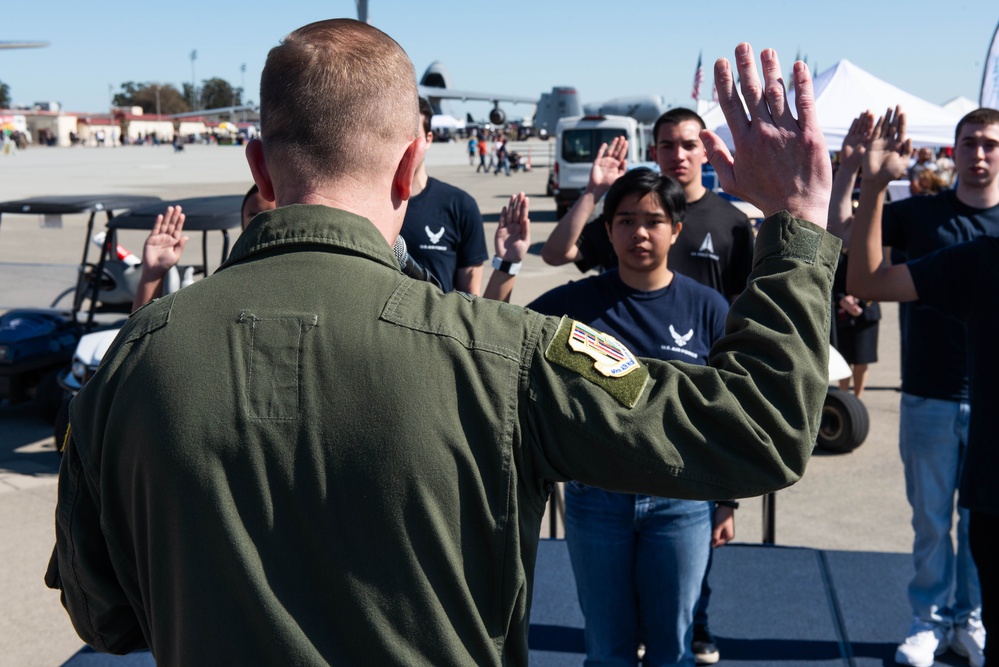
x: 625, y: 382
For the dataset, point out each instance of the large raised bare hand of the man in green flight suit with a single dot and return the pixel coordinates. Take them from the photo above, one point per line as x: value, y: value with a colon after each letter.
x: 782, y: 162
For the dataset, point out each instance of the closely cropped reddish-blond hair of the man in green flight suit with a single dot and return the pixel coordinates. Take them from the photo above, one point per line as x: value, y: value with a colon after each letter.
x: 336, y: 98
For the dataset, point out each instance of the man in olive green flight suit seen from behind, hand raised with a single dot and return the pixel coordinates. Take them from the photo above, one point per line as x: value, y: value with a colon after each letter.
x: 309, y: 458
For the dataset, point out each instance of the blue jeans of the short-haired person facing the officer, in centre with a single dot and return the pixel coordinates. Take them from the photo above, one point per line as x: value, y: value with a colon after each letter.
x: 638, y: 562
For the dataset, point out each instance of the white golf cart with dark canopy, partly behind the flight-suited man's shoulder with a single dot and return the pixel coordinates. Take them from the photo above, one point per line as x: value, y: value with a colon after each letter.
x: 202, y: 214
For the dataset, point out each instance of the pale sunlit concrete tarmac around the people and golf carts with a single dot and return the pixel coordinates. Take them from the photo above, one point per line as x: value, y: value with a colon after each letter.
x: 845, y: 502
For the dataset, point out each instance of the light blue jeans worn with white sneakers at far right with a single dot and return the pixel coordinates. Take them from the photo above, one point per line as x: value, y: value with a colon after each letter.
x: 933, y: 437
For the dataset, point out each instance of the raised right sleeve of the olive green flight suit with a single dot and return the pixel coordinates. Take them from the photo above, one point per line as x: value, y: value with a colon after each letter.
x: 741, y: 426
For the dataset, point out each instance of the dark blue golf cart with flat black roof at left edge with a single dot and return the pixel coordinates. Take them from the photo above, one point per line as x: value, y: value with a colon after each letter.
x: 36, y: 342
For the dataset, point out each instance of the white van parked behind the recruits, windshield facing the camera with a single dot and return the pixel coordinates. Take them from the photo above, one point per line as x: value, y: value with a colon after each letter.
x: 579, y: 139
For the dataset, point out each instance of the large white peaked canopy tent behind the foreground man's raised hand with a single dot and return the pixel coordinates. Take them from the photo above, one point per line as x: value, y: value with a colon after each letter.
x: 844, y: 91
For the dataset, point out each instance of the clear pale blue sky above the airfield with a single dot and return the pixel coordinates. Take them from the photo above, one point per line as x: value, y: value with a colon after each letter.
x: 516, y: 47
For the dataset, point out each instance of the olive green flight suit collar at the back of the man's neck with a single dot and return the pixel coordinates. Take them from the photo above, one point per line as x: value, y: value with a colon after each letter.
x: 315, y: 225
